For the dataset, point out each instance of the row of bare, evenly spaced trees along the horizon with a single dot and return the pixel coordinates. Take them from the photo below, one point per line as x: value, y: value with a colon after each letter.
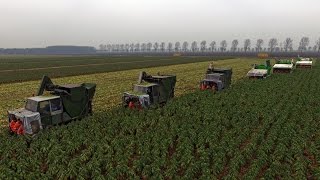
x: 273, y: 46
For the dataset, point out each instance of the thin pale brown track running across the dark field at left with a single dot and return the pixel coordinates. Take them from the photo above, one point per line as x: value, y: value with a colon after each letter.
x: 80, y: 65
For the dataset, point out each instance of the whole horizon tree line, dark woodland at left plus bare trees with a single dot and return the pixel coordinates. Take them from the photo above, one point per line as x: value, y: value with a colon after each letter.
x: 247, y: 48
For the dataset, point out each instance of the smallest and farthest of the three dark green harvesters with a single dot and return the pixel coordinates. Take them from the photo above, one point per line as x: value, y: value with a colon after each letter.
x: 216, y: 79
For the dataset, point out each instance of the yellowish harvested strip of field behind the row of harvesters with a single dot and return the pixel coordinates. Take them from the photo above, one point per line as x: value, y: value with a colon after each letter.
x: 111, y: 85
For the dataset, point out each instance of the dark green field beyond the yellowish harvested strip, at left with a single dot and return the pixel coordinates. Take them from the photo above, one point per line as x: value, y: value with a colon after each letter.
x: 23, y: 68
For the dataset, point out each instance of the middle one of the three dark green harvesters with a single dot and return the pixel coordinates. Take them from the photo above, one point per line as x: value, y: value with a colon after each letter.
x: 150, y: 90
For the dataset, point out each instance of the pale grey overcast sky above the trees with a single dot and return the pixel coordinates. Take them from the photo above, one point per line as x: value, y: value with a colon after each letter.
x: 40, y: 23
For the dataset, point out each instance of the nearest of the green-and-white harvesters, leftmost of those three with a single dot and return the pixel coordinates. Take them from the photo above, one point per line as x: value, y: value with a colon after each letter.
x: 260, y: 71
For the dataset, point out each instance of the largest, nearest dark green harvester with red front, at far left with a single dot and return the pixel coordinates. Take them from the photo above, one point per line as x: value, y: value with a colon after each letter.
x: 52, y: 105
